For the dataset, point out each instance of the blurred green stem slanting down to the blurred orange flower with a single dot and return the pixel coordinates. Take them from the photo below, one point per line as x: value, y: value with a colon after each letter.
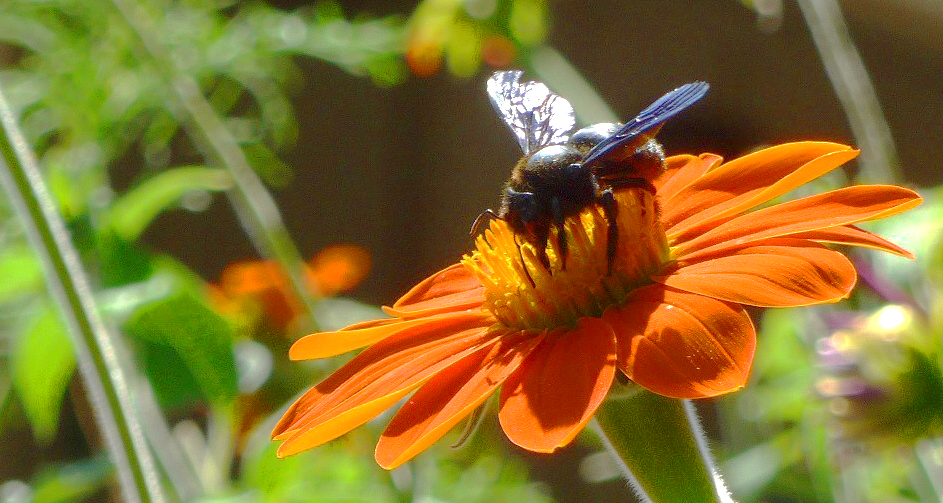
x: 254, y: 205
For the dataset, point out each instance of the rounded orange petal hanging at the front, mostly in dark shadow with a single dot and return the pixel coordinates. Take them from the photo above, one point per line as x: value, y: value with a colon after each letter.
x: 556, y: 391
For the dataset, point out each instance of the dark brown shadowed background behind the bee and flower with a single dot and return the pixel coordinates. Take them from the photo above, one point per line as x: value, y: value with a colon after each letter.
x: 404, y: 171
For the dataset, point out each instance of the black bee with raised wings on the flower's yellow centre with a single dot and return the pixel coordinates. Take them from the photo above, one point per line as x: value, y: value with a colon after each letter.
x: 561, y: 174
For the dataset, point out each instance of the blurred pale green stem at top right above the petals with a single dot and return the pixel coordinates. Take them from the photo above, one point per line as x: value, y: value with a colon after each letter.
x: 849, y: 77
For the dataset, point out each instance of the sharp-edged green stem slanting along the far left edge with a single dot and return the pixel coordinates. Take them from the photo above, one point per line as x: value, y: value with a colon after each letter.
x: 95, y: 350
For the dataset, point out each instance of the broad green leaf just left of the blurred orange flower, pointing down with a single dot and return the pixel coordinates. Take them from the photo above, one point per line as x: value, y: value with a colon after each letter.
x: 200, y: 337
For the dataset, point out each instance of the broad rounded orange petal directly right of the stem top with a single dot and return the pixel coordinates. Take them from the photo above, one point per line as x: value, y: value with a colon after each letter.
x: 683, y: 345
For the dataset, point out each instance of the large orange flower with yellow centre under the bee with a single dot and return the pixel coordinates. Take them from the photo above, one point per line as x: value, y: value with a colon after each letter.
x: 670, y: 316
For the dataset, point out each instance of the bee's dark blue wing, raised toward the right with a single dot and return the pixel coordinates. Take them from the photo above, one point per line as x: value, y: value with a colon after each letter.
x: 661, y: 110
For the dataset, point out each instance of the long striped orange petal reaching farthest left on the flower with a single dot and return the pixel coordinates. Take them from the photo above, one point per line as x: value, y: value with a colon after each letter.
x: 385, y: 370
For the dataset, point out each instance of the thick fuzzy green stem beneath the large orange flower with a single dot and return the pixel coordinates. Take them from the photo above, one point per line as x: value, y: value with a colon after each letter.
x: 660, y: 447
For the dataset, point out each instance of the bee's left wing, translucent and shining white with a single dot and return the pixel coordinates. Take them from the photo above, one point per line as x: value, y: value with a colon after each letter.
x: 535, y: 115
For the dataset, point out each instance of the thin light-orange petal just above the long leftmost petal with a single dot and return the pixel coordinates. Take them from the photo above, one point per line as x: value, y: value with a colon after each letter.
x: 327, y: 344
